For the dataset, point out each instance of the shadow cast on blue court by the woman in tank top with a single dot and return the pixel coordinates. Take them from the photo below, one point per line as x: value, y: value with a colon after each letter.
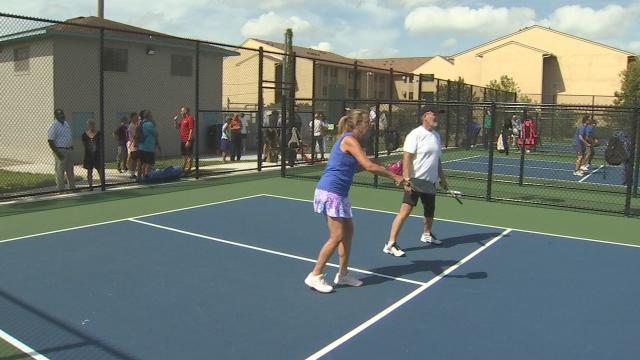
x: 435, y: 267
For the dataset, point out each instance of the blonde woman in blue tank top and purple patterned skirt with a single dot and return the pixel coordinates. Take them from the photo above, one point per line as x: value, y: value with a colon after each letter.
x: 331, y: 197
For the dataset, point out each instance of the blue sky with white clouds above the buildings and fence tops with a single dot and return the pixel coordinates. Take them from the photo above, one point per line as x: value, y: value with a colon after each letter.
x: 360, y: 28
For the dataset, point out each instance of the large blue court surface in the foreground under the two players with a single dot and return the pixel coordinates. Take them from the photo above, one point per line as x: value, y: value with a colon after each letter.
x: 225, y: 280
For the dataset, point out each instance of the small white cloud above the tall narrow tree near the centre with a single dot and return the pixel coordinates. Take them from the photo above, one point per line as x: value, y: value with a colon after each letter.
x: 271, y: 24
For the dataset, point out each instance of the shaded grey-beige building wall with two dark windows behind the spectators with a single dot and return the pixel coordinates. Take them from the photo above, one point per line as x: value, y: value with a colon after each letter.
x: 147, y: 84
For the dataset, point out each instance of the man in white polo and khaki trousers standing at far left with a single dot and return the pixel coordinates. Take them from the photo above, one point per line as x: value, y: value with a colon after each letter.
x: 61, y: 143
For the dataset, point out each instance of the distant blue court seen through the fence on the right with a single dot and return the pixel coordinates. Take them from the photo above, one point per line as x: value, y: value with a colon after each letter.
x: 537, y: 168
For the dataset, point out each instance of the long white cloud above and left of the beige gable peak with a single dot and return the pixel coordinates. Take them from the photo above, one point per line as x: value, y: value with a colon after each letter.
x: 462, y: 19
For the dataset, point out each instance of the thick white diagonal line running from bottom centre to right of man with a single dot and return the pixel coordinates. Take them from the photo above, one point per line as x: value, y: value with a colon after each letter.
x: 341, y: 340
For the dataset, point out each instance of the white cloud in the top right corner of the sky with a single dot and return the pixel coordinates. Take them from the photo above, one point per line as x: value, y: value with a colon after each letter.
x: 609, y: 21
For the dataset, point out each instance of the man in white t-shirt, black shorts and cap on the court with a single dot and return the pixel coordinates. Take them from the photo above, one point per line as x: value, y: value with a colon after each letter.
x: 420, y: 159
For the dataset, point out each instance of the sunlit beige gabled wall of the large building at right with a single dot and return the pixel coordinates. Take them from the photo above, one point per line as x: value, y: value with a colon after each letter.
x: 582, y: 68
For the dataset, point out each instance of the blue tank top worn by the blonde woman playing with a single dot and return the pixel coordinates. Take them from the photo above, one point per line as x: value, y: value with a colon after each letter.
x: 338, y: 175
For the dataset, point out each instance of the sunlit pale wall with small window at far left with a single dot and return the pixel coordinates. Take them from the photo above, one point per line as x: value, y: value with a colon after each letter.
x: 26, y: 99
